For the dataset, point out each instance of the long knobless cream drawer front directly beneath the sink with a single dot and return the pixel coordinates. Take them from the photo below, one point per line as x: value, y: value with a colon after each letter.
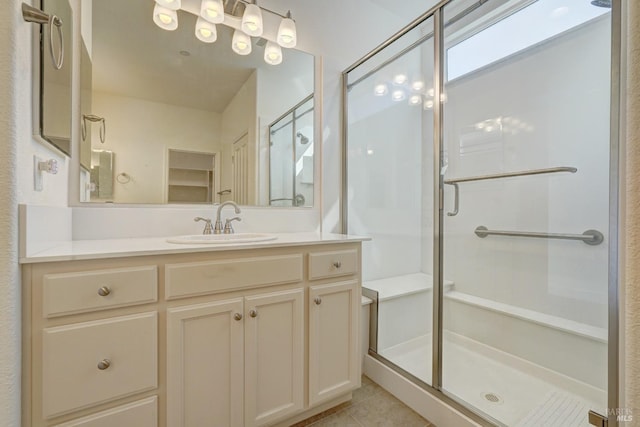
x: 201, y: 278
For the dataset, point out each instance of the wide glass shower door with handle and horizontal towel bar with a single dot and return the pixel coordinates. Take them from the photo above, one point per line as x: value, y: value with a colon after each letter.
x: 526, y: 133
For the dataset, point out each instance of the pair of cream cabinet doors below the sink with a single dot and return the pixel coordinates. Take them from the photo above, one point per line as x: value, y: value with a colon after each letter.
x: 225, y: 353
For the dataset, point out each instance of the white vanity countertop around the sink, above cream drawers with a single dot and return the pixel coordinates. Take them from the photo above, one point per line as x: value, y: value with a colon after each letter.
x: 117, y: 248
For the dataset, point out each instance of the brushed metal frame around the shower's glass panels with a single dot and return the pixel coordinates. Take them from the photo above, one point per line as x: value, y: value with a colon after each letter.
x: 616, y: 130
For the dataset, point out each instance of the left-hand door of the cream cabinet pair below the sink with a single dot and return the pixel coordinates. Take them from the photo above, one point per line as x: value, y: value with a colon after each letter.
x: 205, y: 364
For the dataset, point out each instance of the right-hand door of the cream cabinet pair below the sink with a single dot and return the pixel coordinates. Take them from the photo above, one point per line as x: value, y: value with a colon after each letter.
x: 274, y: 352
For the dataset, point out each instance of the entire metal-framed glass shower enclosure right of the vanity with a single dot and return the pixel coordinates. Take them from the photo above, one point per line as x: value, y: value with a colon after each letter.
x: 478, y: 157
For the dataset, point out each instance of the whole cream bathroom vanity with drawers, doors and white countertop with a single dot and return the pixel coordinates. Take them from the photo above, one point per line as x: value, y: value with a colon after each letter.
x: 173, y: 335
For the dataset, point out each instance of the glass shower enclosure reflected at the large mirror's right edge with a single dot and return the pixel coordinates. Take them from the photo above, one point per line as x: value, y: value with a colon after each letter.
x: 291, y: 157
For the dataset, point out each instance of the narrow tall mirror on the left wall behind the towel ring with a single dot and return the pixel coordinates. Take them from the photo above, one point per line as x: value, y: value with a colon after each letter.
x: 55, y: 88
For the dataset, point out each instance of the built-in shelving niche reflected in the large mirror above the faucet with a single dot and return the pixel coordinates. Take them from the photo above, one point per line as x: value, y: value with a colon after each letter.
x: 192, y: 177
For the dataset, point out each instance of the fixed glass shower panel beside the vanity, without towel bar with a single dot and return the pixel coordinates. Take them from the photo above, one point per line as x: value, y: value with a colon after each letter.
x: 390, y: 193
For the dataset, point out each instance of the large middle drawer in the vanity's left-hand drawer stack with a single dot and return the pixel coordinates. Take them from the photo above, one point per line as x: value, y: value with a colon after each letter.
x: 93, y: 362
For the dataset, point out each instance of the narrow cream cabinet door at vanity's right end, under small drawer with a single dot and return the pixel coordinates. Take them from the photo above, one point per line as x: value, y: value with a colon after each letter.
x: 333, y: 340
